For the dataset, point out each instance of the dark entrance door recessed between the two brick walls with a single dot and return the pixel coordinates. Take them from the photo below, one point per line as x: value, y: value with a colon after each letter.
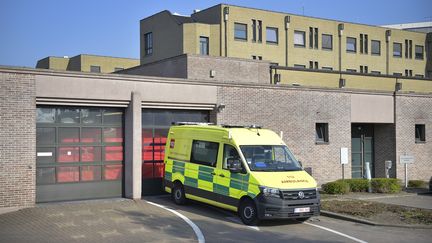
x: 362, y: 149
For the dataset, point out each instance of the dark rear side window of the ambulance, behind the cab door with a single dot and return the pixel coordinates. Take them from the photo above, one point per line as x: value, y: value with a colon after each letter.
x: 204, y: 152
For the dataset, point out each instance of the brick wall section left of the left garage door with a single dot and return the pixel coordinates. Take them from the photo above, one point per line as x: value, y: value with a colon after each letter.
x: 17, y: 140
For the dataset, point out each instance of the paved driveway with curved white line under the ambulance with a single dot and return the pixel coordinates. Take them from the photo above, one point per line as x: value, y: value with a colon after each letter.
x: 158, y: 219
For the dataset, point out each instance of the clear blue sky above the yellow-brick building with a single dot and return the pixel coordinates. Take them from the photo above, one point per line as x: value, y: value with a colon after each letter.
x: 33, y: 29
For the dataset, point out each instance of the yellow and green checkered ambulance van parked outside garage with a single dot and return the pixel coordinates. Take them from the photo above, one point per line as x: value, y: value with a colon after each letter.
x: 245, y: 169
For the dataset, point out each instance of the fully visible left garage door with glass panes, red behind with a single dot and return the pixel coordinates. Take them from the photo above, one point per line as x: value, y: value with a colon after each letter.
x: 79, y: 153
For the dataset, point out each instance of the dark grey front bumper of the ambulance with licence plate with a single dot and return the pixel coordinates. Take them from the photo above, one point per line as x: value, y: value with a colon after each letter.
x: 278, y: 208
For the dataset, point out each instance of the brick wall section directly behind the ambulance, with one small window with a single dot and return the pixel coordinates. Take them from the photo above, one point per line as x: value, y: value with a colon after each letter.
x: 295, y: 112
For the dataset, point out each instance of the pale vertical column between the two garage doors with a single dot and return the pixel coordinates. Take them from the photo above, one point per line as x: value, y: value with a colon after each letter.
x: 133, y: 146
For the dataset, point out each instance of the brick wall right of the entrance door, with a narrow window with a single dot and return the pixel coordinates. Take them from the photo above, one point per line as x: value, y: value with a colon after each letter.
x: 411, y: 110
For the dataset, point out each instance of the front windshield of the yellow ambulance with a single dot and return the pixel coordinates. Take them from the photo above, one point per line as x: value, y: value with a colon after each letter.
x: 269, y: 158
